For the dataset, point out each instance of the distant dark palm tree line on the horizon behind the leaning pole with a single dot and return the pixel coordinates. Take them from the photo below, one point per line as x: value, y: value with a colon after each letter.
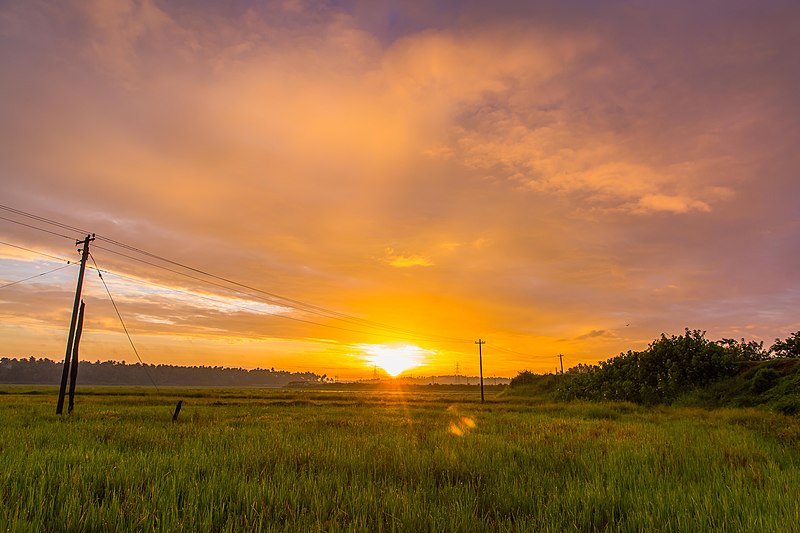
x: 44, y: 371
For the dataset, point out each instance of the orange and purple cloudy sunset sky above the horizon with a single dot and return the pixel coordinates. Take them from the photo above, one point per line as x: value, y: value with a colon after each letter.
x: 553, y: 177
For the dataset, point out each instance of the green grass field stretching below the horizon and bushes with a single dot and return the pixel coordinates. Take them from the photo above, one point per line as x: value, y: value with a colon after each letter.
x: 395, y: 460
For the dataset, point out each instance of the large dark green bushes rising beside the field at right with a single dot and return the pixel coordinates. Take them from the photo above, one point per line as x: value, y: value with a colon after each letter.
x: 686, y: 369
